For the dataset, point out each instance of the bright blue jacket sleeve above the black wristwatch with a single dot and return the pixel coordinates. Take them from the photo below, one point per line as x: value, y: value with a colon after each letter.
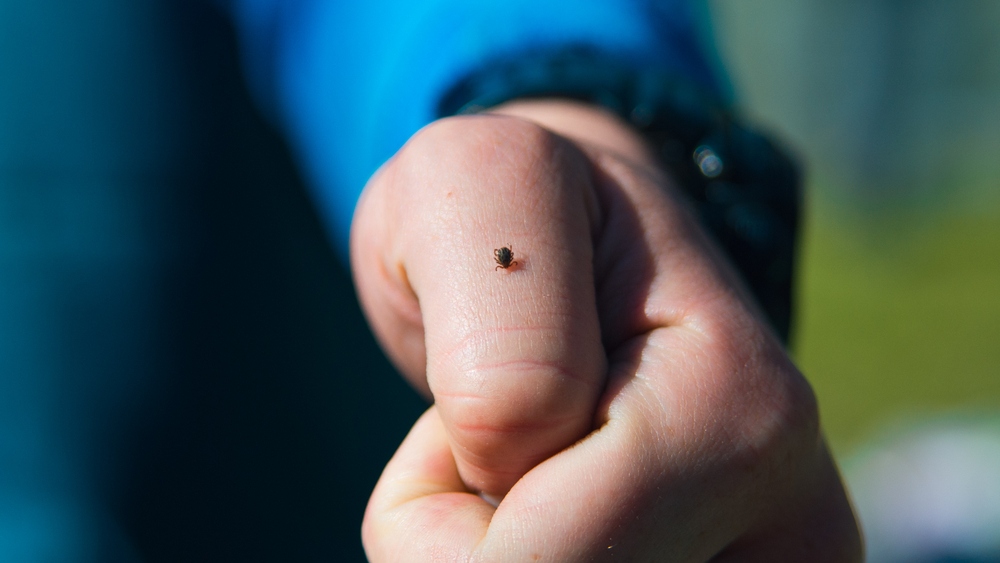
x: 351, y: 81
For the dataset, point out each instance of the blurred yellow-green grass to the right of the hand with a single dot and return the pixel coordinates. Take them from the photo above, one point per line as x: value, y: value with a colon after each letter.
x: 899, y: 315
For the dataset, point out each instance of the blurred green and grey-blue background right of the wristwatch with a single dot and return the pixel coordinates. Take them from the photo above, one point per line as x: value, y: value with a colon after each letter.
x: 894, y: 107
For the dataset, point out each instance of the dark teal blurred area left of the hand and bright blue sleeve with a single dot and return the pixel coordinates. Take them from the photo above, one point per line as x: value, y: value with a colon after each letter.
x: 180, y: 350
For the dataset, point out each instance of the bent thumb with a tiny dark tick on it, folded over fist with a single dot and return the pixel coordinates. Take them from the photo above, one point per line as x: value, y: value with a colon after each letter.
x: 512, y: 356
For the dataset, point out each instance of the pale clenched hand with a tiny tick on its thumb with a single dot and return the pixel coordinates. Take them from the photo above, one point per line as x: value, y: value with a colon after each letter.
x: 616, y: 396
